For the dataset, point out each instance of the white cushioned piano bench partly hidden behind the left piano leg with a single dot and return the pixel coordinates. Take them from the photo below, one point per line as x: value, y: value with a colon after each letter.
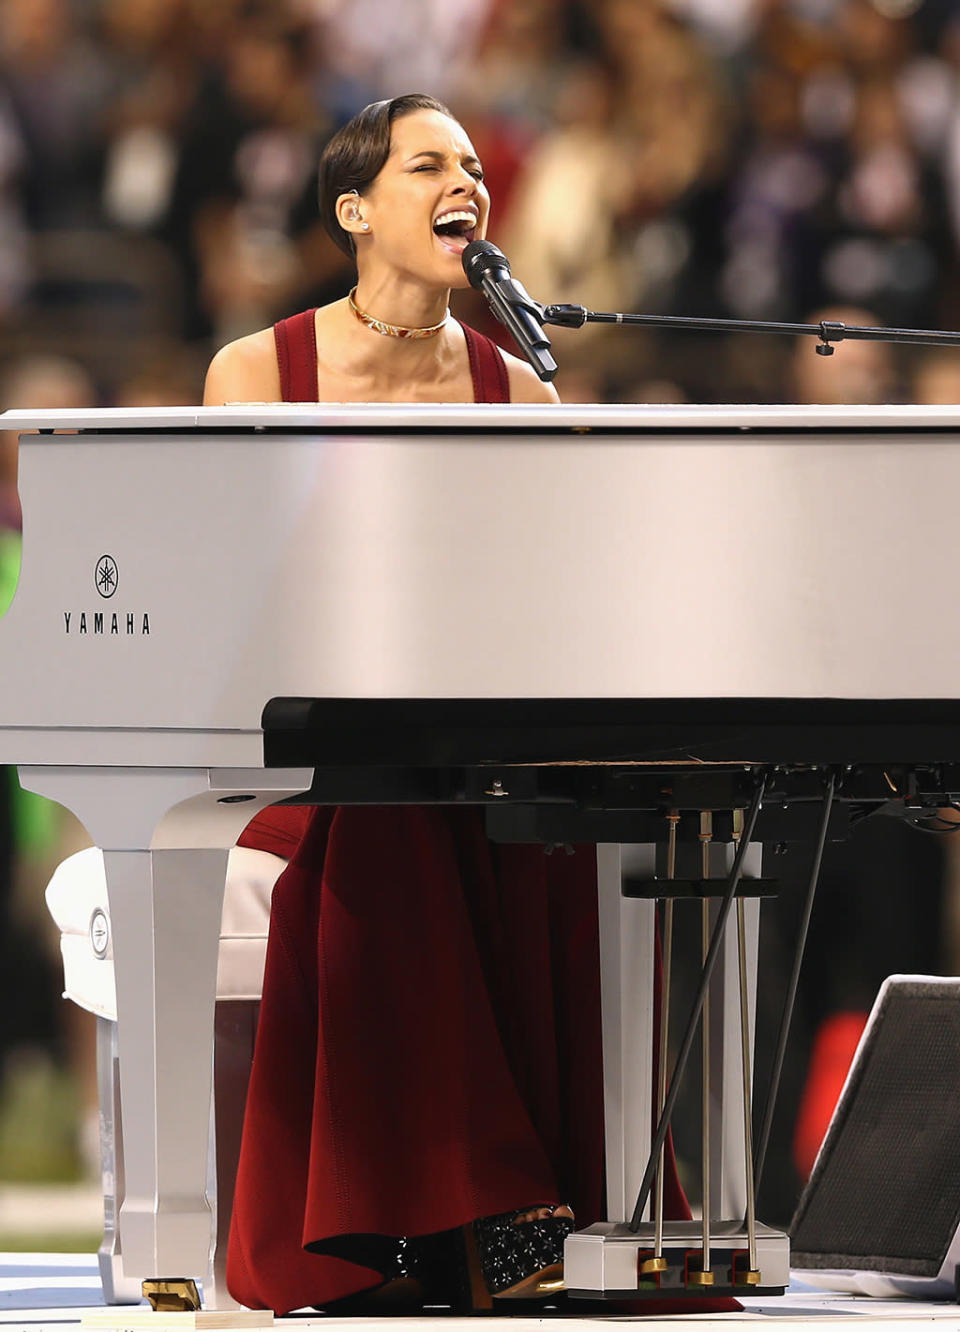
x: 77, y: 898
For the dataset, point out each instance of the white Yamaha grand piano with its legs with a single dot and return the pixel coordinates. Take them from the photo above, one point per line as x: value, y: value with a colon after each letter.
x: 532, y: 608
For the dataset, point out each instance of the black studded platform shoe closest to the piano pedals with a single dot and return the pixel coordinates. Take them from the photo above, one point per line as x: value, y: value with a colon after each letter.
x: 516, y: 1261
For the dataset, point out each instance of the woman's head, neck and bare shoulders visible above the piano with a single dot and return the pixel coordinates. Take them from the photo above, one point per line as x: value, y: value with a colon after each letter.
x: 403, y: 192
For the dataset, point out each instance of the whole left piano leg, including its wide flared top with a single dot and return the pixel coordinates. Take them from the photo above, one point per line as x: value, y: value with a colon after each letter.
x: 166, y: 837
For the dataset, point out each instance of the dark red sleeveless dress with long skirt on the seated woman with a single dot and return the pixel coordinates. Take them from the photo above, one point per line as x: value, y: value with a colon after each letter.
x: 429, y: 1045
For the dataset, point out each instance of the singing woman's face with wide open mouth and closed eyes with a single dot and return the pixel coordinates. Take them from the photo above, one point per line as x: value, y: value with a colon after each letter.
x: 428, y: 203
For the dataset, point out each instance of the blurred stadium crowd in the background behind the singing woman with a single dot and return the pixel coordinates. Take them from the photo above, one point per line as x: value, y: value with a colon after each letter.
x: 762, y: 159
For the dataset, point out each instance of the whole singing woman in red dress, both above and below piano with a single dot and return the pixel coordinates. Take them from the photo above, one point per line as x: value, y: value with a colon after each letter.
x: 427, y: 1080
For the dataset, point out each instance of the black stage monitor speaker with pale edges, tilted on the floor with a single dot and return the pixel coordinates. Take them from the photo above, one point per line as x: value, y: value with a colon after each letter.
x: 881, y: 1214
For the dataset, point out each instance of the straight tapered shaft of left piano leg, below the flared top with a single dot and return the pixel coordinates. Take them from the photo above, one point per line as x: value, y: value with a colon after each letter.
x: 166, y: 909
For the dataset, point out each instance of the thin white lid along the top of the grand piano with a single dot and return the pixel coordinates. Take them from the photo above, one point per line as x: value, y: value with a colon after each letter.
x: 457, y: 416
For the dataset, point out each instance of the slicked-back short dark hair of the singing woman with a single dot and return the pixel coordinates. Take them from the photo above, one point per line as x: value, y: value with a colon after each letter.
x: 356, y: 155
